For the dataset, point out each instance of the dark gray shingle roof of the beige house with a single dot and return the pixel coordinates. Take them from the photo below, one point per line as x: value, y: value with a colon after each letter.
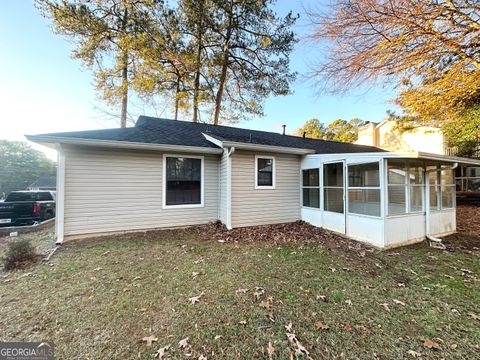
x: 174, y: 132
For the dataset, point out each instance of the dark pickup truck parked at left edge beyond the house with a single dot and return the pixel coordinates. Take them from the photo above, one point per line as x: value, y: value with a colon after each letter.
x: 27, y: 207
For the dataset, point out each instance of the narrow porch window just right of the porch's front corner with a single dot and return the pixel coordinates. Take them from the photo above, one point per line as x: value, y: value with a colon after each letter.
x: 397, y: 187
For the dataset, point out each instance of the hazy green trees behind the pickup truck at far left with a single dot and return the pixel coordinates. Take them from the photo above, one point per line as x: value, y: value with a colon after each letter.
x: 20, y: 165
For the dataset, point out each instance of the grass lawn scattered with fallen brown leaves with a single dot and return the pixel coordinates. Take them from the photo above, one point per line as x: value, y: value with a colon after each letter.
x: 99, y: 298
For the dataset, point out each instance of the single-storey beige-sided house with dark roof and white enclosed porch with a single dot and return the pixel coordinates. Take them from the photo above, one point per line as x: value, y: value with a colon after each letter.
x: 166, y: 173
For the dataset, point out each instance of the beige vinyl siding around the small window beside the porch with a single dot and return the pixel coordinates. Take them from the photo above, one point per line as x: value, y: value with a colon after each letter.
x: 252, y: 206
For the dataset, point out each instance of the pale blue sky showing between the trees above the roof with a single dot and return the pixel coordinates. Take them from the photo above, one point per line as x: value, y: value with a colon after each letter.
x: 43, y: 90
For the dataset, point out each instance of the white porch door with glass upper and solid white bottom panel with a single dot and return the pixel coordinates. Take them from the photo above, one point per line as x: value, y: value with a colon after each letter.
x: 334, y: 196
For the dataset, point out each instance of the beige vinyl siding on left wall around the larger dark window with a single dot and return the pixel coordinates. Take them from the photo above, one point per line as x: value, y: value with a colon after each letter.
x: 117, y: 190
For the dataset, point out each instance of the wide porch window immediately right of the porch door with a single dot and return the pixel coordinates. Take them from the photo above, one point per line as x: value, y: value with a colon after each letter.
x: 364, y: 189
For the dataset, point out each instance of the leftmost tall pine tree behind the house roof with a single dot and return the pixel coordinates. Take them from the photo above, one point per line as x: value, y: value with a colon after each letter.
x: 105, y: 33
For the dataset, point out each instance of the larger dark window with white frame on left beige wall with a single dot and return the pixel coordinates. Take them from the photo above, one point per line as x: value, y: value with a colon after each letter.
x: 183, y: 181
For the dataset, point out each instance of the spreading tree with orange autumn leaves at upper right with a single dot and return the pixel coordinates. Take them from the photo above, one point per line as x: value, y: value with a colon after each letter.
x: 431, y: 47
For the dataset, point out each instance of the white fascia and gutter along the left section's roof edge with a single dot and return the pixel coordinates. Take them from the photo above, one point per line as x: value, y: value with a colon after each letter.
x: 48, y: 140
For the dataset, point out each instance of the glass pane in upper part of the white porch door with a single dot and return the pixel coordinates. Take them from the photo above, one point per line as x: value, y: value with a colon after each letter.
x: 333, y: 187
